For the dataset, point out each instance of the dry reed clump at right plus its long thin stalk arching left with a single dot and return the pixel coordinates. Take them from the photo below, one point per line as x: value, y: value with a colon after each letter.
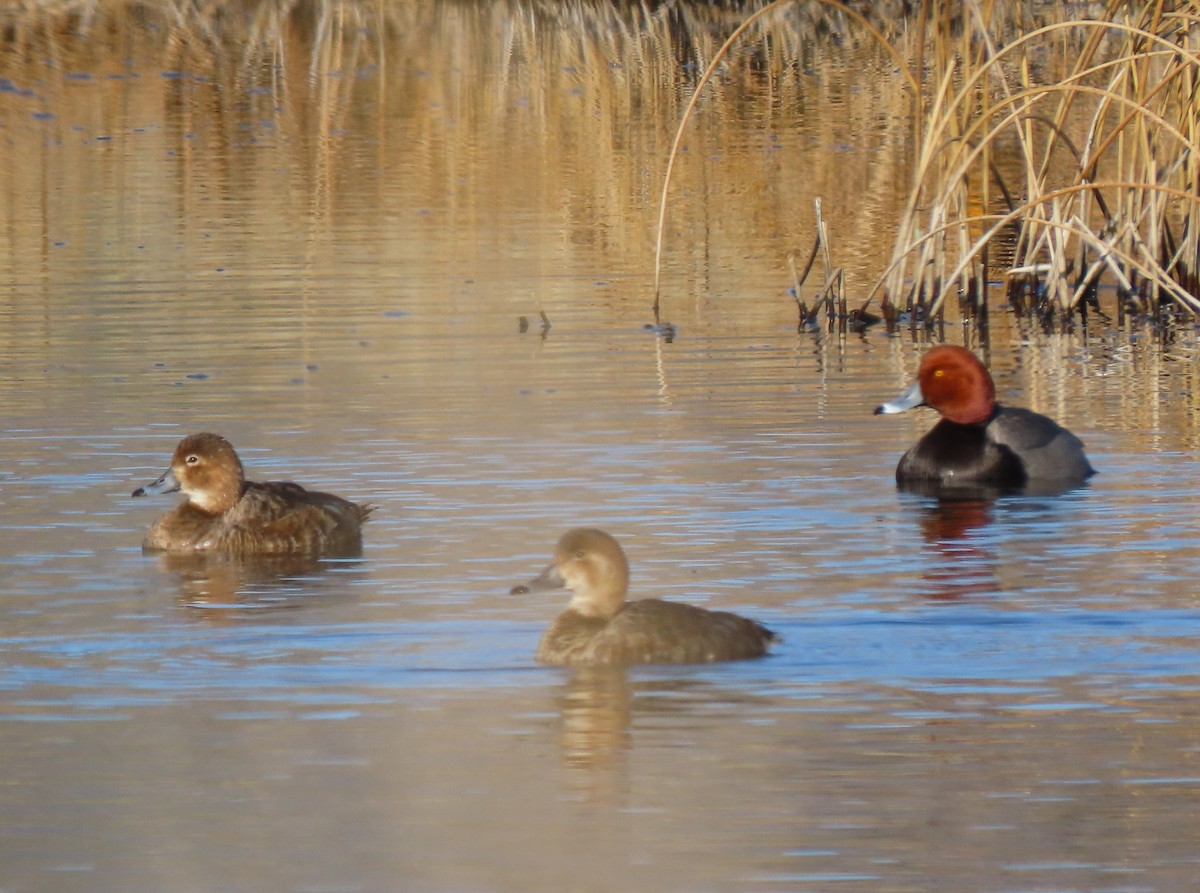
x: 962, y: 128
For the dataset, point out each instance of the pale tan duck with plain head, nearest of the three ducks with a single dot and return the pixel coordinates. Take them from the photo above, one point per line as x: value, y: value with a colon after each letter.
x: 599, y: 628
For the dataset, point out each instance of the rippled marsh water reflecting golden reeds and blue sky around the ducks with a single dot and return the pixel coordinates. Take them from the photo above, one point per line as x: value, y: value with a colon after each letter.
x: 335, y: 249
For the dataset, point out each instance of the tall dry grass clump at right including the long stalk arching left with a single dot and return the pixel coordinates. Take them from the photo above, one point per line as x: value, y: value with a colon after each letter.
x: 1102, y: 182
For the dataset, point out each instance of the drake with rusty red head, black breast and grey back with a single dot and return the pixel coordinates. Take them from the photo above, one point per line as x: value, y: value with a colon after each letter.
x: 980, y: 443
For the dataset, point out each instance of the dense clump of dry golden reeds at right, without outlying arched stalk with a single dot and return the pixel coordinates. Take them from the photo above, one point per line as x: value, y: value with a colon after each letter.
x: 962, y: 129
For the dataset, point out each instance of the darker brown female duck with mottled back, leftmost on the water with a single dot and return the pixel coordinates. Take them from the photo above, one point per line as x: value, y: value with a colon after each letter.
x: 226, y: 513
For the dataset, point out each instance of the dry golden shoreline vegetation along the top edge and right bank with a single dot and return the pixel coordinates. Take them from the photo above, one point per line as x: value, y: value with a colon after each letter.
x: 1053, y: 147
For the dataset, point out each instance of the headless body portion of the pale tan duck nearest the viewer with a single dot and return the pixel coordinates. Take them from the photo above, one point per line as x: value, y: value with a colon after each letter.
x: 653, y: 632
